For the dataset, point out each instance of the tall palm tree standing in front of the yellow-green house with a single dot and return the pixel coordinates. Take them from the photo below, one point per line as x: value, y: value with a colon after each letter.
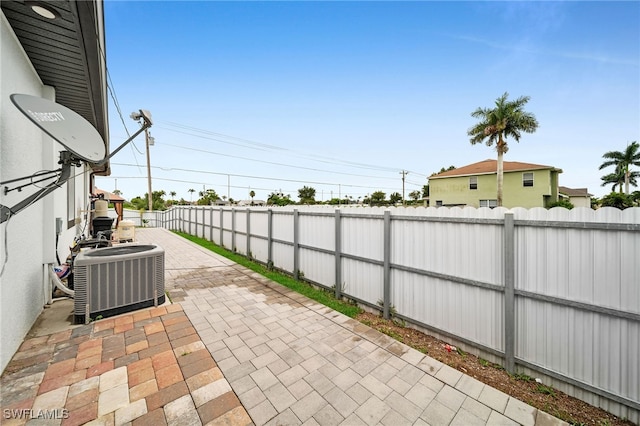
x: 507, y: 119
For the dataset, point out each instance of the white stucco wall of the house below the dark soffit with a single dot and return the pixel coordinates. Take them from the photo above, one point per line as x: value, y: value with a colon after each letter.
x: 30, y: 235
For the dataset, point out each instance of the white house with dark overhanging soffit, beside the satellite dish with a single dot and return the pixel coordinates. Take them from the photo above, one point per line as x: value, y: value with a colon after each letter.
x: 53, y: 50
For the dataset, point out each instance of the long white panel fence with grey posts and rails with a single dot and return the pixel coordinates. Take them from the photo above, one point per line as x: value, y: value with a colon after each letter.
x: 554, y: 292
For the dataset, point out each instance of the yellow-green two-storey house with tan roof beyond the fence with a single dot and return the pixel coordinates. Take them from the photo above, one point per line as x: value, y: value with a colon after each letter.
x: 524, y: 185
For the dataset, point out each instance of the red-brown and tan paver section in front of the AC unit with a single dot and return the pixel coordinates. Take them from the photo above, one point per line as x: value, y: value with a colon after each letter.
x: 147, y: 367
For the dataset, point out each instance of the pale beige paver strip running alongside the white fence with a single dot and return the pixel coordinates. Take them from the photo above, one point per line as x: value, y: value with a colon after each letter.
x: 293, y: 361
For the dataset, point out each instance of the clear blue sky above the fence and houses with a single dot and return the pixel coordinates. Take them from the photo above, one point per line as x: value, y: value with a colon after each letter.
x: 343, y: 96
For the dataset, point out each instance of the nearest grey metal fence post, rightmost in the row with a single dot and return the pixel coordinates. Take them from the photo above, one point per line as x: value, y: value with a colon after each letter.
x: 509, y: 293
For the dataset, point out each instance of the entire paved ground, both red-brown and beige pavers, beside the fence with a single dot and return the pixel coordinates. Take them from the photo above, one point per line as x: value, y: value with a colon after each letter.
x: 238, y: 349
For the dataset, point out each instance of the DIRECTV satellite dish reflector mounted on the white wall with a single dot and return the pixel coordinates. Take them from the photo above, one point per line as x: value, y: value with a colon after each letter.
x: 67, y: 127
